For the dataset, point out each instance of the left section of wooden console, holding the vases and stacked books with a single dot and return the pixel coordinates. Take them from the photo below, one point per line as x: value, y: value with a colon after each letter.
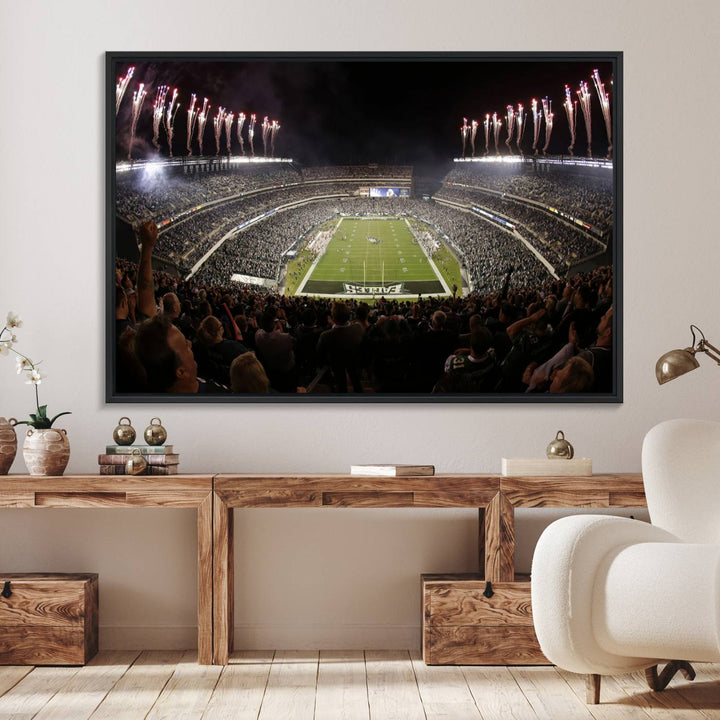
x: 92, y: 491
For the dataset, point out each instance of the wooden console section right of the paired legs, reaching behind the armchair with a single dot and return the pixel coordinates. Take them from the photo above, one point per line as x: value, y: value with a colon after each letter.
x: 495, y: 497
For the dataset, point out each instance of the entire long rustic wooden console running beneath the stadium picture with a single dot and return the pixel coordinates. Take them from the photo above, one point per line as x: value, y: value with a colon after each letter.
x: 215, y: 498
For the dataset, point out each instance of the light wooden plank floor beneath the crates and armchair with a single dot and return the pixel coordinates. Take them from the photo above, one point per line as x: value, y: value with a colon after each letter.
x: 346, y: 685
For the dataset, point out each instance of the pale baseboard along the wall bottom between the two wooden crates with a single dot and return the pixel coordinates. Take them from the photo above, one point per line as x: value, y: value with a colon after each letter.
x: 266, y: 637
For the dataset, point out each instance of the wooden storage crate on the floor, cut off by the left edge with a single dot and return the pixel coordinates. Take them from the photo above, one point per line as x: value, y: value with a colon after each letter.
x: 48, y: 618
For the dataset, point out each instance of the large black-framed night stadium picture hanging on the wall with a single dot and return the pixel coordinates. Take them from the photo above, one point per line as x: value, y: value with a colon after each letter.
x: 364, y: 227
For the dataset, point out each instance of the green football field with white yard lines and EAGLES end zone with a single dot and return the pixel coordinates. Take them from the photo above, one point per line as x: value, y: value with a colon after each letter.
x: 372, y: 256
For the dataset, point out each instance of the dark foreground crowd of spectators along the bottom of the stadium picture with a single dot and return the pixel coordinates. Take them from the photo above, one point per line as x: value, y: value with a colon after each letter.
x: 191, y: 336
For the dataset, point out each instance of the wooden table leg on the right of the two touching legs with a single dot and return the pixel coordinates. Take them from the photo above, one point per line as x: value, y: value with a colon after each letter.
x: 223, y: 581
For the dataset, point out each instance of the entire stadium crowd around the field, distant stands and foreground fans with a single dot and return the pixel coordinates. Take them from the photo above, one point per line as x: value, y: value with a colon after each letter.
x: 518, y: 329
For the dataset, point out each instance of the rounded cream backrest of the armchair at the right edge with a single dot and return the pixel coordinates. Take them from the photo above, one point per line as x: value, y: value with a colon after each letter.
x: 681, y: 472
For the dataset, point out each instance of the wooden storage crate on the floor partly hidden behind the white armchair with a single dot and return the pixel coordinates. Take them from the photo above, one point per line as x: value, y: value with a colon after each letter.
x: 461, y: 626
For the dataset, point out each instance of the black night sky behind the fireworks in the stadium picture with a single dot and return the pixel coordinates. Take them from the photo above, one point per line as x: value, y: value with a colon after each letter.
x: 389, y: 110
